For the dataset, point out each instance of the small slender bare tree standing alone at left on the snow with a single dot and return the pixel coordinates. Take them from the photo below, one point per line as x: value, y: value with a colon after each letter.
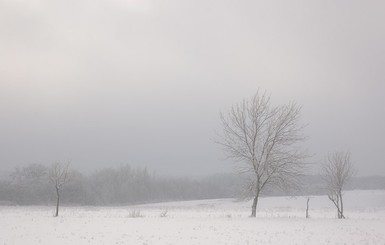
x: 59, y: 176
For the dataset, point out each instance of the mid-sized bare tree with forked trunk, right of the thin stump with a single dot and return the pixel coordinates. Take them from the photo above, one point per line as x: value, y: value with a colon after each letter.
x: 337, y: 170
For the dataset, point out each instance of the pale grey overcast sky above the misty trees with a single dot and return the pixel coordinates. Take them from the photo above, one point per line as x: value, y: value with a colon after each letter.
x: 111, y: 82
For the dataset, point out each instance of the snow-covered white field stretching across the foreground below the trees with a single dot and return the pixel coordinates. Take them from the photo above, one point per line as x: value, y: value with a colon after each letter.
x: 280, y: 221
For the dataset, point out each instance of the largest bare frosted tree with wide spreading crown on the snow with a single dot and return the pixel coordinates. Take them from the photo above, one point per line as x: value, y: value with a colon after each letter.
x: 264, y: 139
